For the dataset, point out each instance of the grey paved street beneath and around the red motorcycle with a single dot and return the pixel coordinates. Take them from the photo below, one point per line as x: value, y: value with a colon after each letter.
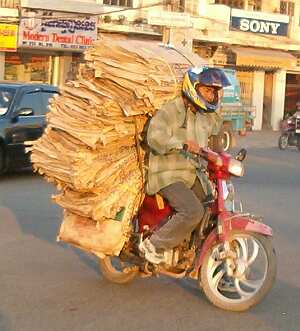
x: 45, y: 285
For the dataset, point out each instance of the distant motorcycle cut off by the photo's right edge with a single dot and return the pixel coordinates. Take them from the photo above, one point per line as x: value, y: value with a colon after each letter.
x: 290, y: 132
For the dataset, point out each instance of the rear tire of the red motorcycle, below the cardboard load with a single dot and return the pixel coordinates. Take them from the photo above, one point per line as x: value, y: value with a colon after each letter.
x: 117, y: 275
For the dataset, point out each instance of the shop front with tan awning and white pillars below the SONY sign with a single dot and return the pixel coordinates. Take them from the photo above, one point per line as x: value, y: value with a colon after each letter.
x: 265, y: 71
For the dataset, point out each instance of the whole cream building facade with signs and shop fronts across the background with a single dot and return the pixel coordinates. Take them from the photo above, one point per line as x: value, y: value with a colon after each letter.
x: 260, y: 39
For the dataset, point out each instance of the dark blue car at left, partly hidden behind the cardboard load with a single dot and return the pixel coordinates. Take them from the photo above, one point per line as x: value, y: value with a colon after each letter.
x: 22, y: 118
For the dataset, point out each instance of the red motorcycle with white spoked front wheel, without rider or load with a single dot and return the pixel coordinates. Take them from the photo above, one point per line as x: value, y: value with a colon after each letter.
x: 230, y: 253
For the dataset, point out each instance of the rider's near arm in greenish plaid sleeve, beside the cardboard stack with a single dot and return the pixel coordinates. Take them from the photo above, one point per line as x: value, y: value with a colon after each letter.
x: 164, y: 133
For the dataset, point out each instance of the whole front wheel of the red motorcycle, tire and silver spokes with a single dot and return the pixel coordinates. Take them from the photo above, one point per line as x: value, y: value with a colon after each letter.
x: 254, y: 272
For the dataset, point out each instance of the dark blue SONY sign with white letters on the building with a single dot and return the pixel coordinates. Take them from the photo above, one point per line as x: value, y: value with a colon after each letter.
x: 258, y: 22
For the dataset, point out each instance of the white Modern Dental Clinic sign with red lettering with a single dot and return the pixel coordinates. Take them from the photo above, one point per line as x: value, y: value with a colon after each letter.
x: 56, y: 30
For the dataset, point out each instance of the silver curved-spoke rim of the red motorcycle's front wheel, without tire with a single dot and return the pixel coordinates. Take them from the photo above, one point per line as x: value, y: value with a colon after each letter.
x: 250, y: 270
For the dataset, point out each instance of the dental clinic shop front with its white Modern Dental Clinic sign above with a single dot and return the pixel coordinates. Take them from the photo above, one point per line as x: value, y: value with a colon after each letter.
x: 49, y: 49
